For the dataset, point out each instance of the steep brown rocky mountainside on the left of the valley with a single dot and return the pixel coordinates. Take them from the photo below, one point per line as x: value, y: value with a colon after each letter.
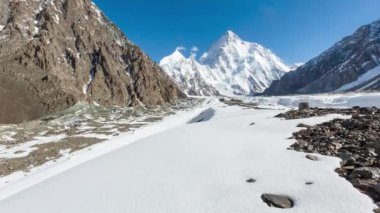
x: 54, y: 53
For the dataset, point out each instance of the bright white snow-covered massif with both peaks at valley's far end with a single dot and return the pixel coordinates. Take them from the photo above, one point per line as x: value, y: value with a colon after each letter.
x: 231, y: 65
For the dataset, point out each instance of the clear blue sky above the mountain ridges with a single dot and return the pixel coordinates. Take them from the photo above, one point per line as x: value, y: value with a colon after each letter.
x: 296, y: 30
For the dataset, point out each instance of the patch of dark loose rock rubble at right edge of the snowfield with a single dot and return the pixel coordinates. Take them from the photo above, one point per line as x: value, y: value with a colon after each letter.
x: 356, y: 141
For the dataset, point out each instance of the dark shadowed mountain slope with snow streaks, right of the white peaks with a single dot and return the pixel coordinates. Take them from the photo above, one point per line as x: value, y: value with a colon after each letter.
x: 350, y: 65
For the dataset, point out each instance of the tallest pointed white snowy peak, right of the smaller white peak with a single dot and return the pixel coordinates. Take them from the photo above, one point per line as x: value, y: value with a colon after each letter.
x: 247, y: 67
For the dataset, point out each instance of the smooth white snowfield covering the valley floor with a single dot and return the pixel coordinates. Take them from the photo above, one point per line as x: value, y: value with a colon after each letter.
x: 197, y: 162
